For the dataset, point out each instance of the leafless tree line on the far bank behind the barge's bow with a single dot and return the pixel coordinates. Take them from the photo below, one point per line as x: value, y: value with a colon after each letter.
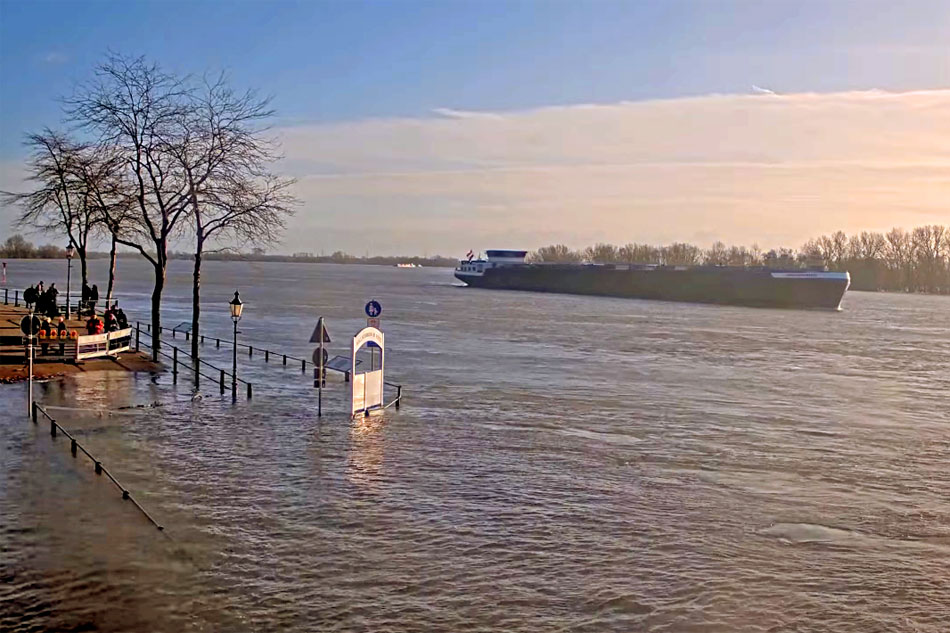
x: 898, y: 261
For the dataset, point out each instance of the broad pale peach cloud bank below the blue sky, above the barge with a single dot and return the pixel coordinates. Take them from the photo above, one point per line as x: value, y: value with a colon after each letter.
x: 740, y: 168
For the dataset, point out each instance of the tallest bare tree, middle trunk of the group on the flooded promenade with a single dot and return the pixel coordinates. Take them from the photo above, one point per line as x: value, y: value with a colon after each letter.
x: 136, y: 109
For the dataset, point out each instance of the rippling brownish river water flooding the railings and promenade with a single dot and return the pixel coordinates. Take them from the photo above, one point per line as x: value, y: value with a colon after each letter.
x: 561, y: 463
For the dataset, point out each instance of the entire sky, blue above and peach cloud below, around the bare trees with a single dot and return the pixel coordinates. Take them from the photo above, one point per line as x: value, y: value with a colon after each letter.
x: 439, y: 127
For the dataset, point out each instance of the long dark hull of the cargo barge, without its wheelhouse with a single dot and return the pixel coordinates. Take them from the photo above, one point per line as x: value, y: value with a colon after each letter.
x: 701, y: 284
